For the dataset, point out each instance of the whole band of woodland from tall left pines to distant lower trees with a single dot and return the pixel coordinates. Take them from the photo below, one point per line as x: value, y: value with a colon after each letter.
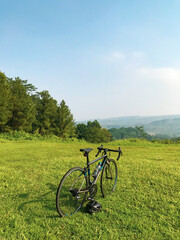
x: 23, y: 108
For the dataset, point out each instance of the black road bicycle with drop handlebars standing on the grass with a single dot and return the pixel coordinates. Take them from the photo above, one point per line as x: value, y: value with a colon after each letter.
x: 76, y: 186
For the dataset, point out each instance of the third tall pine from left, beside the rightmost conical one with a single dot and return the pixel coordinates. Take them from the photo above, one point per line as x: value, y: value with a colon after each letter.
x: 46, y: 108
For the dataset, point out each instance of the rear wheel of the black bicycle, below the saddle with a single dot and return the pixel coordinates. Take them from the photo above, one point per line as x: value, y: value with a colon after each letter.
x: 71, y: 192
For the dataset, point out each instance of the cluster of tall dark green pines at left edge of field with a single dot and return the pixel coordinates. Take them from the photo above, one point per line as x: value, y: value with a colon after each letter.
x: 22, y: 108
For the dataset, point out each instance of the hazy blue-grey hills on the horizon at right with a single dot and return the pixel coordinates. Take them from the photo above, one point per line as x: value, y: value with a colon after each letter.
x: 166, y: 125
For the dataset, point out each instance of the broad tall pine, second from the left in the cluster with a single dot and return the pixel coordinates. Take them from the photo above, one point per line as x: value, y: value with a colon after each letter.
x: 23, y: 109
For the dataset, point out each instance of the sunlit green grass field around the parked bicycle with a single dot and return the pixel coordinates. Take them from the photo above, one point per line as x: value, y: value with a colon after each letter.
x: 144, y: 205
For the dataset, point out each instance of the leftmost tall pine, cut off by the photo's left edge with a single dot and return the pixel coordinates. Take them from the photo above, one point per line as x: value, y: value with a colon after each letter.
x: 5, y: 103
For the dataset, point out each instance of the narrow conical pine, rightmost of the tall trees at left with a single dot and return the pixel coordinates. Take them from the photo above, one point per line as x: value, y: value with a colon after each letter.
x: 65, y: 121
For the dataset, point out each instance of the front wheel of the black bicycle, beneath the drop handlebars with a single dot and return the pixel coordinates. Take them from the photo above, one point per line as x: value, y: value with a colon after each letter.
x: 108, y: 177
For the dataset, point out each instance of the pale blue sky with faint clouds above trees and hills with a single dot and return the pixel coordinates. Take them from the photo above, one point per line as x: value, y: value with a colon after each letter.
x: 105, y: 58
